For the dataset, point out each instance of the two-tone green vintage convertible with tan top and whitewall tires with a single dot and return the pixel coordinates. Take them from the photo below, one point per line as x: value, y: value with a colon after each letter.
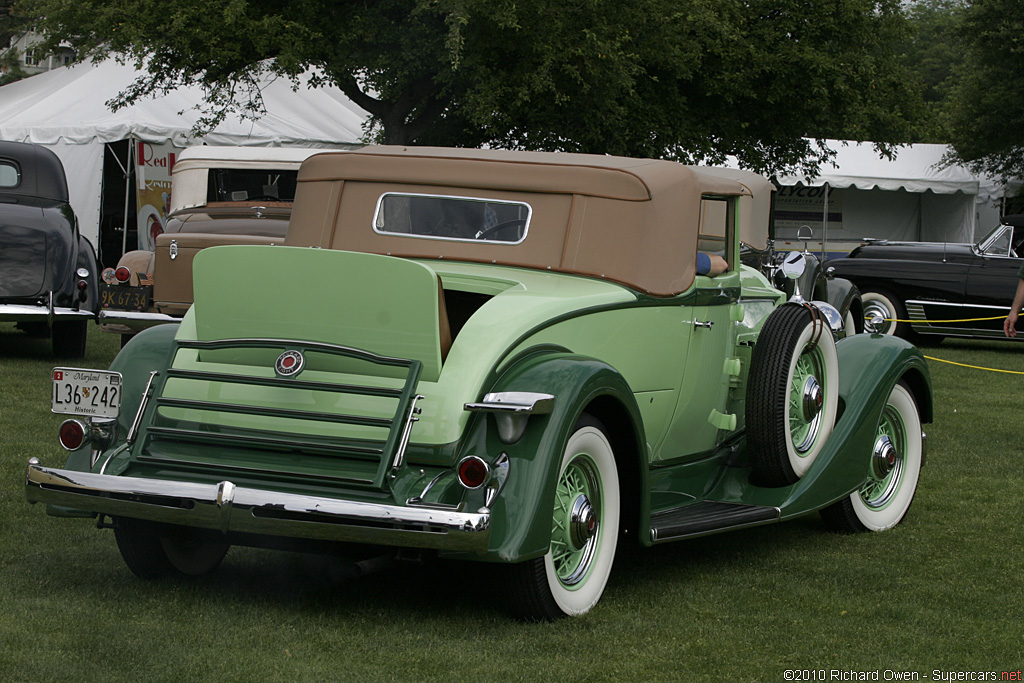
x: 503, y: 358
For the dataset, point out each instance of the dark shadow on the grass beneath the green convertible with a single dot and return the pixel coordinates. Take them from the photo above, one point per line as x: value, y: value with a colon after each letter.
x: 412, y: 586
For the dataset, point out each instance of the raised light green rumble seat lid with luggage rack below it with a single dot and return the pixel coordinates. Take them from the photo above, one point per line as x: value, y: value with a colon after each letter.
x: 363, y: 330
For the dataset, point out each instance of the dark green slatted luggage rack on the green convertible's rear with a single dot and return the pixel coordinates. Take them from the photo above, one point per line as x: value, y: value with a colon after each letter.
x: 170, y: 443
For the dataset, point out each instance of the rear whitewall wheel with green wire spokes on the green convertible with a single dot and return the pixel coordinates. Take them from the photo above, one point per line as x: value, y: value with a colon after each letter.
x: 572, y: 576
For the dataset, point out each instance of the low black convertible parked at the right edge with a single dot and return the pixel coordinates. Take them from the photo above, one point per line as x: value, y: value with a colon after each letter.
x: 932, y: 290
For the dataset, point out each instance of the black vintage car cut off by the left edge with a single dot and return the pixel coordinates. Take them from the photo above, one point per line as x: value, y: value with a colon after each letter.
x: 48, y: 269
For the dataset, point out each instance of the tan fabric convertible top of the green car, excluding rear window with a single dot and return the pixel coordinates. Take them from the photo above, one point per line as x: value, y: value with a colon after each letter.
x: 630, y: 221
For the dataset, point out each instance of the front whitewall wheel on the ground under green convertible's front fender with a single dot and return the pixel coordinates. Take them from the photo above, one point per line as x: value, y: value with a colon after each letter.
x: 893, y: 474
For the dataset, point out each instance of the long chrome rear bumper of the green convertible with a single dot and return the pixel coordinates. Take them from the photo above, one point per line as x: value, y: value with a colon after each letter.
x: 230, y: 508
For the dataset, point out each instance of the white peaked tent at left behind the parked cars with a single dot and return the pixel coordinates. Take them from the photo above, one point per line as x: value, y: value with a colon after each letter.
x: 66, y: 111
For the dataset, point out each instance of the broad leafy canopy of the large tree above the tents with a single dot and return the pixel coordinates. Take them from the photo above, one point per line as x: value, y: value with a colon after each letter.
x: 694, y: 80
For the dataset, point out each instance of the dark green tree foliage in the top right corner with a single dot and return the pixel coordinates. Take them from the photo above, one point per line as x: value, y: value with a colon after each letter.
x: 988, y: 120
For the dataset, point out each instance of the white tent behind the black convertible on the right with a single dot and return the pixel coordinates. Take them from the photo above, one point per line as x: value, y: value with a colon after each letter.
x: 914, y: 197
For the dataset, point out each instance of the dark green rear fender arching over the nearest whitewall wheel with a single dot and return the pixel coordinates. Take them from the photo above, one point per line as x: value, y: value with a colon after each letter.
x: 522, y: 514
